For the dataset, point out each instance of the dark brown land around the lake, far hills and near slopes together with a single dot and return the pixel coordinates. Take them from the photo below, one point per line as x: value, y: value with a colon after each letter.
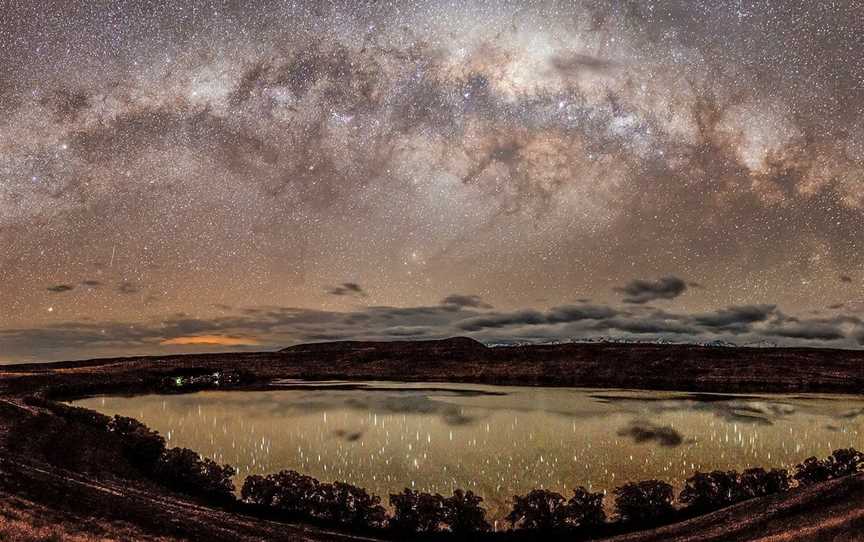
x: 61, y: 480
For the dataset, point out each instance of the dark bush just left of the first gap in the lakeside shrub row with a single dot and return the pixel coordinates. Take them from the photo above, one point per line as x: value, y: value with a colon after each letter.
x: 185, y: 471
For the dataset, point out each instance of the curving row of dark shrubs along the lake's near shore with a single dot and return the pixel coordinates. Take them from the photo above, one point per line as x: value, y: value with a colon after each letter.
x: 290, y: 496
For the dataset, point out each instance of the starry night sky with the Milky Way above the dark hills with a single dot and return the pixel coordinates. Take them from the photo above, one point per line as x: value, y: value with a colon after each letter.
x: 191, y: 176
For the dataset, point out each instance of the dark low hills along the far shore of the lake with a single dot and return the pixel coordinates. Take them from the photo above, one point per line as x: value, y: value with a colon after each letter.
x: 684, y: 368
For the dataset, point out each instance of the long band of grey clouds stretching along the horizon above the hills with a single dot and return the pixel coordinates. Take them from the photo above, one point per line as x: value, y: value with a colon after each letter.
x: 275, y: 327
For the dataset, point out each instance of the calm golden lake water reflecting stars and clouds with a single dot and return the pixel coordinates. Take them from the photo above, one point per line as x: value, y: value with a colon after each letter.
x: 497, y: 441
